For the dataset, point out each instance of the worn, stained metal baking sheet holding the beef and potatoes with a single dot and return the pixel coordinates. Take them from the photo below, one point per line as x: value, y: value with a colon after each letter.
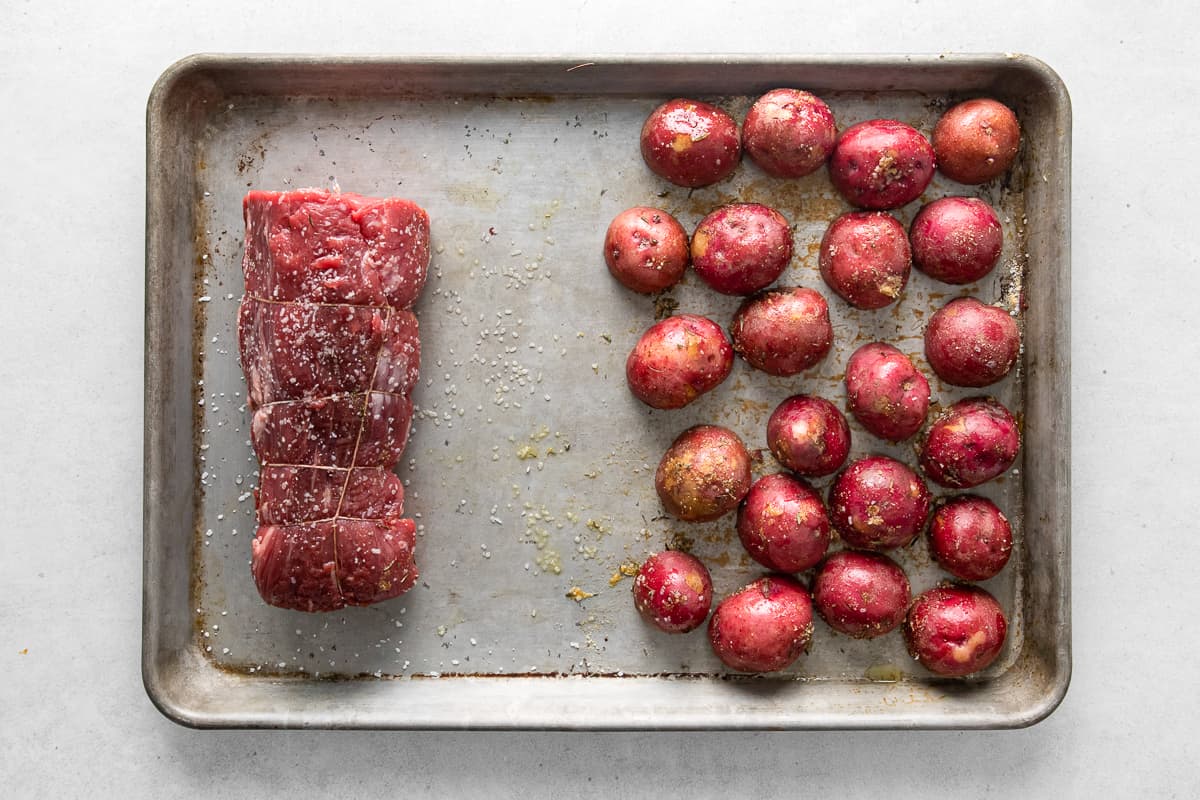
x: 531, y: 466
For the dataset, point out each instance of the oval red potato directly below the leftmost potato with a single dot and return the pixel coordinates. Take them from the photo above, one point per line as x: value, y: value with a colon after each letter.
x: 677, y: 360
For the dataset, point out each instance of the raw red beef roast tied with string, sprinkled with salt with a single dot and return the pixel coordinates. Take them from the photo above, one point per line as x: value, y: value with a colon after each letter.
x: 331, y: 351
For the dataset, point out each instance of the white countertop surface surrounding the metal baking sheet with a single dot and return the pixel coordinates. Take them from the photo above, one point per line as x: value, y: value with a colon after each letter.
x: 74, y: 717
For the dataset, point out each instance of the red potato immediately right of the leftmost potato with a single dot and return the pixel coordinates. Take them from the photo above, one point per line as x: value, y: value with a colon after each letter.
x: 742, y: 248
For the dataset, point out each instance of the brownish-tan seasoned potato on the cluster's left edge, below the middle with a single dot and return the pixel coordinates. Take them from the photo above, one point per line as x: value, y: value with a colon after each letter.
x: 704, y: 474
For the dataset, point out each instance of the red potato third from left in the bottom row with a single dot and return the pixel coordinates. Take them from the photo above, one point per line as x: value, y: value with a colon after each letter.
x: 862, y: 596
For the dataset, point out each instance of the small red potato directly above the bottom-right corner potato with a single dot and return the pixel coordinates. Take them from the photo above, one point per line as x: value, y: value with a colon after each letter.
x: 970, y: 538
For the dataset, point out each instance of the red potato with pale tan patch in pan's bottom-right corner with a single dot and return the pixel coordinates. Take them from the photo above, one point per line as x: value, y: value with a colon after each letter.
x: 956, y: 630
